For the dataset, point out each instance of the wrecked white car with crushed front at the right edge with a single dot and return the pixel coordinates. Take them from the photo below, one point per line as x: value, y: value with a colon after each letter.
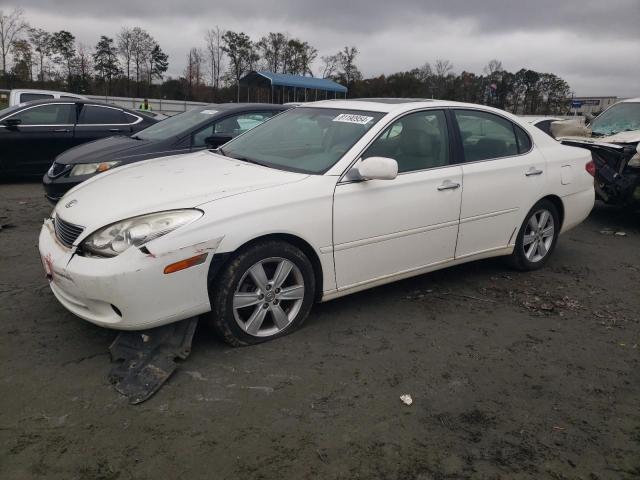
x: 613, y: 137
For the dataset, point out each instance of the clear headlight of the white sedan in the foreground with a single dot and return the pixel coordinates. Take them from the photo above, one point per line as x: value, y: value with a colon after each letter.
x: 134, y: 232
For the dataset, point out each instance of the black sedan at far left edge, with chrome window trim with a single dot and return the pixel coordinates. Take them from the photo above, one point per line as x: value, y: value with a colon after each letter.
x: 32, y: 134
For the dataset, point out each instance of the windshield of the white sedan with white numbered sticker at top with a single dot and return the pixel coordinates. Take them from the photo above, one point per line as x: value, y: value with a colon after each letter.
x: 308, y: 140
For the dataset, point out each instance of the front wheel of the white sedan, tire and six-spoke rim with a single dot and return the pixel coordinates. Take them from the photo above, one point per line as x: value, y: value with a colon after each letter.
x: 264, y: 292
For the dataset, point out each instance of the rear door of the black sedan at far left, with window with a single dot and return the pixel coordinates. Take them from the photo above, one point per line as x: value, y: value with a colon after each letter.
x: 100, y: 121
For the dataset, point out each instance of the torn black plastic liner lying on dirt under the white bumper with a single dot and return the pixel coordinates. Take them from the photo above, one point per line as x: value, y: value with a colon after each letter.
x: 146, y: 359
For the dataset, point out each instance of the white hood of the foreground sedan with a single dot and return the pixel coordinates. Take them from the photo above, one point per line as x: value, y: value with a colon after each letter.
x: 180, y: 181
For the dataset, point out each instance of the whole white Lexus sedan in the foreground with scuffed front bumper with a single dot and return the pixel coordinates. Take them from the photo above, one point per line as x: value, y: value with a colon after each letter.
x: 323, y: 200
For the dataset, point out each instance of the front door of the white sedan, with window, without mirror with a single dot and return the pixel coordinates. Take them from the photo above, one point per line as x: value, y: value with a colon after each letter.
x: 384, y: 228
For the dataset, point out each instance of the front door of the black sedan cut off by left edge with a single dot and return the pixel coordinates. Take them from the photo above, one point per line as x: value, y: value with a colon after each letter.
x: 44, y: 132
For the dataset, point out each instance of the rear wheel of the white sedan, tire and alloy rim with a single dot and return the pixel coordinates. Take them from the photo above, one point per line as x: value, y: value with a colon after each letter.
x: 537, y: 237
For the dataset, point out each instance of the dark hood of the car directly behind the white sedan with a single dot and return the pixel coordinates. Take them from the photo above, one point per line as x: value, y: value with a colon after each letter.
x: 110, y: 149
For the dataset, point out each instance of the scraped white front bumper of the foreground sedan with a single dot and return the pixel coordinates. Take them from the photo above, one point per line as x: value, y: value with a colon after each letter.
x: 126, y: 292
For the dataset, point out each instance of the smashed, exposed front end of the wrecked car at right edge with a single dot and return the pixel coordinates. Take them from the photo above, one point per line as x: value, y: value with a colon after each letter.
x: 617, y: 179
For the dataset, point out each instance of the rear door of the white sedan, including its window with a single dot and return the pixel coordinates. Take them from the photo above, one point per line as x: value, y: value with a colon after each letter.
x: 504, y: 176
